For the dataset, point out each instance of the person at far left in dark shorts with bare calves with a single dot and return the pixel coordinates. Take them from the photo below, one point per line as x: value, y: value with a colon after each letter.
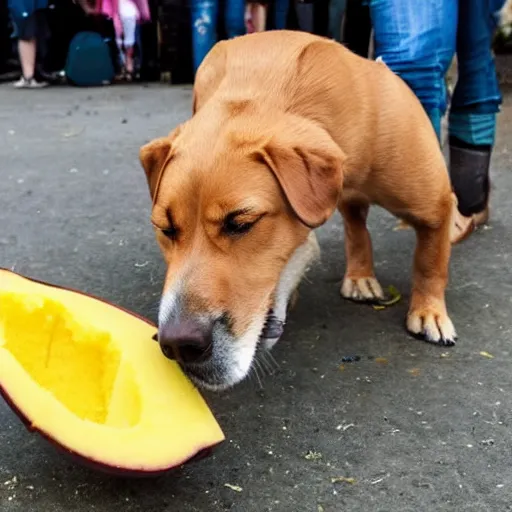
x: 29, y: 21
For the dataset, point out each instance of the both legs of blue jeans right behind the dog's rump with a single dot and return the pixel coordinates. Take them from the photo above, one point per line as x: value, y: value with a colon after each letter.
x: 418, y: 39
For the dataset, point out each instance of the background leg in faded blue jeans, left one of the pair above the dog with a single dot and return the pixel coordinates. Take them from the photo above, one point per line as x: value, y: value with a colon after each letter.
x: 204, y: 28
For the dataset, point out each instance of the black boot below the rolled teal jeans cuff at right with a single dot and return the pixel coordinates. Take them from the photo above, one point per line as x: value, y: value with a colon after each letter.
x: 469, y: 173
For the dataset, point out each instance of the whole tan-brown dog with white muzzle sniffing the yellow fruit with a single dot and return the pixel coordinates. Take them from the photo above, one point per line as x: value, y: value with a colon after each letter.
x: 287, y: 127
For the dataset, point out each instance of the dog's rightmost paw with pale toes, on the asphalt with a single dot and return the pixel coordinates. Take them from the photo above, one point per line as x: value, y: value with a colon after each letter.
x: 430, y: 325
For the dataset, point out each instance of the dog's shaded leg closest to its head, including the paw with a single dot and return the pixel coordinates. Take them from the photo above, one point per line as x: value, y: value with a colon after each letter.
x: 359, y: 283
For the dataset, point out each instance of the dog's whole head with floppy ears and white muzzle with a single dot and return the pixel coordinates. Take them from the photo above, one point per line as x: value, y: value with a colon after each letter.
x: 233, y: 208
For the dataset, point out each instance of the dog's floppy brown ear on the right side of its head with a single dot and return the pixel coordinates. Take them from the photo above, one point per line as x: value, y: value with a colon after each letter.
x: 309, y: 167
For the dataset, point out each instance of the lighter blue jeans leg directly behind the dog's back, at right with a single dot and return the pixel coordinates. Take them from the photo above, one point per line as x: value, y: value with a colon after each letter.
x: 417, y: 41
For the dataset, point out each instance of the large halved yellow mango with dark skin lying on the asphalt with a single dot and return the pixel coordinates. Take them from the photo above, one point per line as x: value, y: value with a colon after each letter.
x: 88, y: 376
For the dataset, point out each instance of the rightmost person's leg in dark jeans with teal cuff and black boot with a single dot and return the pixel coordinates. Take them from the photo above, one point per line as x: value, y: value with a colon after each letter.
x: 475, y: 103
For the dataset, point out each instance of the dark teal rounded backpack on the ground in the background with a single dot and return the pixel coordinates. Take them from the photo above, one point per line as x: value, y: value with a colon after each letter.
x: 89, y: 60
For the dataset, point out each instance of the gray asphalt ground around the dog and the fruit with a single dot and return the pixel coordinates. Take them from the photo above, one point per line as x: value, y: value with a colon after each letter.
x: 430, y: 430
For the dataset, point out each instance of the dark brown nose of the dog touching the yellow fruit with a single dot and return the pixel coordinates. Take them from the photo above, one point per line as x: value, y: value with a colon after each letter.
x: 187, y: 341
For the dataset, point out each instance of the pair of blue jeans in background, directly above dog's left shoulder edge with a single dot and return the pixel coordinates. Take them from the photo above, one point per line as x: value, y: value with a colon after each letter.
x: 204, y: 15
